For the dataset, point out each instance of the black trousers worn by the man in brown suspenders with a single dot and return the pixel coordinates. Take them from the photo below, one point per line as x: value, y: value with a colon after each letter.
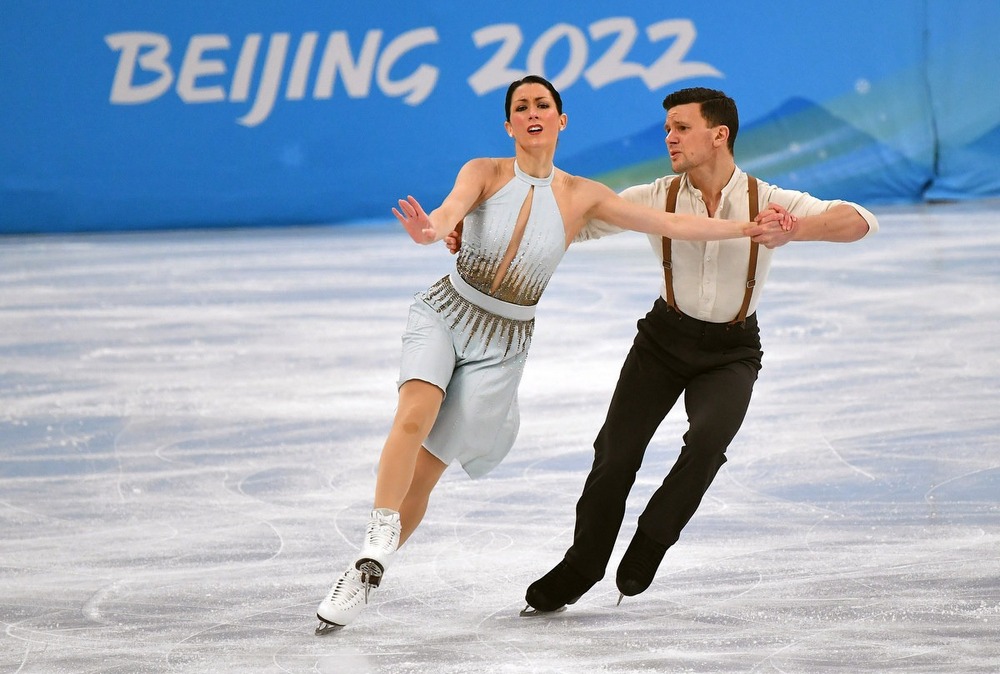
x: 715, y: 366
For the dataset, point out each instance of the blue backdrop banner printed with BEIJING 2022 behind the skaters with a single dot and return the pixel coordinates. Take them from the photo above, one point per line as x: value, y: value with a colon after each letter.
x: 124, y: 115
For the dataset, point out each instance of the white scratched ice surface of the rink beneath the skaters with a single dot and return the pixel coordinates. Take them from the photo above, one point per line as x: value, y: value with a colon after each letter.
x: 189, y: 425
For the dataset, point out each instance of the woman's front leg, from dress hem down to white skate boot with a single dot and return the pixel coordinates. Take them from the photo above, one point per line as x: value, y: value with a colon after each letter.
x: 419, y: 403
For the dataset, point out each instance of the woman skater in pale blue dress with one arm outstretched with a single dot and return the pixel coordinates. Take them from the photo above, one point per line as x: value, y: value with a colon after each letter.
x: 468, y: 335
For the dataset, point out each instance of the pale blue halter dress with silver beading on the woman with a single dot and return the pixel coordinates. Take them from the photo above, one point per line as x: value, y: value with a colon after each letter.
x: 471, y: 342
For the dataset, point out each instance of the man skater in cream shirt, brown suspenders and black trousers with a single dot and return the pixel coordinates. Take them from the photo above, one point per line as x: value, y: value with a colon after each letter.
x: 700, y: 339
